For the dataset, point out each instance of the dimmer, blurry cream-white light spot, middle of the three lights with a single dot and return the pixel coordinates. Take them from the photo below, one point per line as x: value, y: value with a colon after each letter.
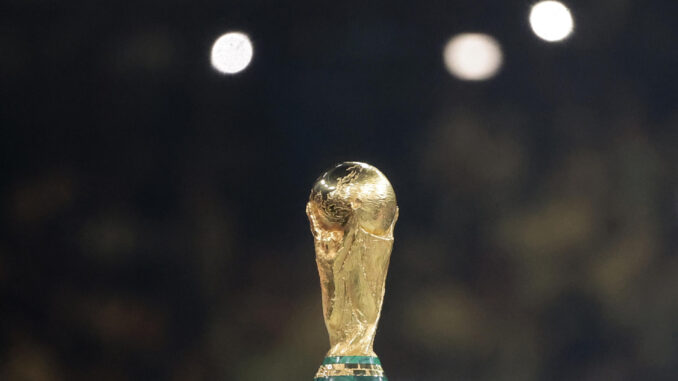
x: 473, y: 56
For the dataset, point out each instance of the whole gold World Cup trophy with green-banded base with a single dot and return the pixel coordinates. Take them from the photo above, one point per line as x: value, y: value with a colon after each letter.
x: 352, y: 210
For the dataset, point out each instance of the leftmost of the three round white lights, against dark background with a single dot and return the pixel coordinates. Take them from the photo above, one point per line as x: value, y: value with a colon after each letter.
x: 232, y: 53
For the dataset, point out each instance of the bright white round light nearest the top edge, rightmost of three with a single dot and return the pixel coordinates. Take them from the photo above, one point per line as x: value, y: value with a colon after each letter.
x: 551, y: 21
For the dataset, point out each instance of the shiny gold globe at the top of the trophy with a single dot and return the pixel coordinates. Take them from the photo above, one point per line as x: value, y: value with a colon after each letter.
x: 354, y: 192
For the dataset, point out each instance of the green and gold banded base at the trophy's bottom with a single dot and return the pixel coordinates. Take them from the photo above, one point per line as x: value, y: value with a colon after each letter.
x: 350, y: 368
